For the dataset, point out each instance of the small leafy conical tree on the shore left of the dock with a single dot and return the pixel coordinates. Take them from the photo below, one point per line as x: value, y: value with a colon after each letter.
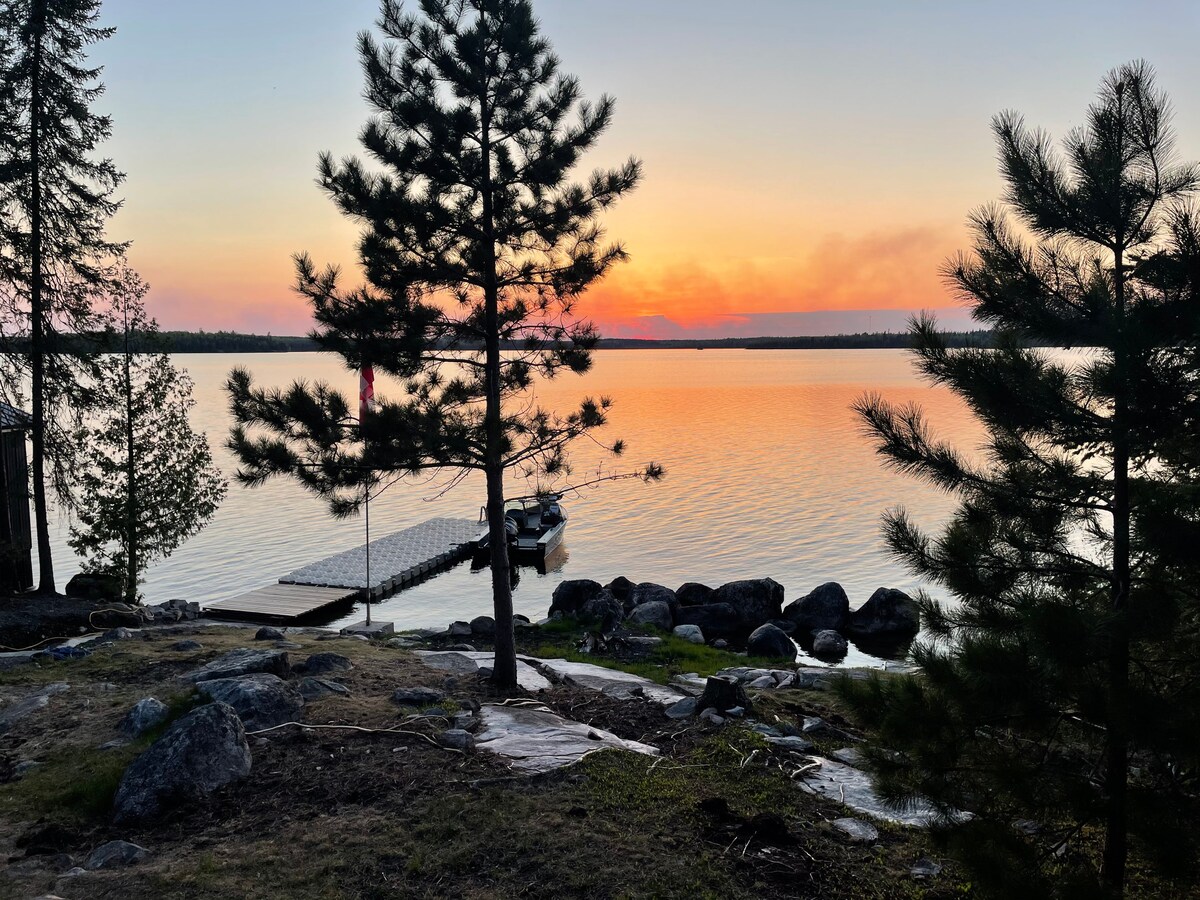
x: 147, y: 481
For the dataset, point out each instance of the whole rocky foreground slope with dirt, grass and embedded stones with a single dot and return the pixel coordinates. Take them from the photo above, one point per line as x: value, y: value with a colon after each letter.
x: 379, y: 797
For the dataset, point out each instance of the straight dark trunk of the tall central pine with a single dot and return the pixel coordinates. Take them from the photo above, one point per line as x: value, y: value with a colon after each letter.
x: 505, y: 669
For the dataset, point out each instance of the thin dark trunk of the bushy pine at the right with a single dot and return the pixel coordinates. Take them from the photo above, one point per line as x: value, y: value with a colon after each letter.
x: 1117, y: 752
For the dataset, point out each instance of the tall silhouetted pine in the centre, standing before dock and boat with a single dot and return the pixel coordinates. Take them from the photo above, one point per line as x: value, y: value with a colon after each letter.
x: 475, y: 243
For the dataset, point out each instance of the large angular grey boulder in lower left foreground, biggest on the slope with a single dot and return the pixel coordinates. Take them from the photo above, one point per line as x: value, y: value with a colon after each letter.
x: 202, y: 752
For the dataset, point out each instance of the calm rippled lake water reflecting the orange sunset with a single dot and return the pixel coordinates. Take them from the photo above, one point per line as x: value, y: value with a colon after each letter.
x: 769, y: 475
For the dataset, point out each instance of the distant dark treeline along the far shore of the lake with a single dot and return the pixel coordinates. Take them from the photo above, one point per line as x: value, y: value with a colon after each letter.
x: 237, y: 343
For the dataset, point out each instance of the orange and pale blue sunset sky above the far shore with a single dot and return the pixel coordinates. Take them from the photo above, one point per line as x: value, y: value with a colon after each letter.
x: 808, y: 165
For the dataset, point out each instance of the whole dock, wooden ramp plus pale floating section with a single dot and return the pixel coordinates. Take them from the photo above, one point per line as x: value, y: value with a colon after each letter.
x: 397, y: 561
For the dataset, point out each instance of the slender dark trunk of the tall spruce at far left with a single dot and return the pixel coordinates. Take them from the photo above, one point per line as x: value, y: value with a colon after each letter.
x: 37, y: 313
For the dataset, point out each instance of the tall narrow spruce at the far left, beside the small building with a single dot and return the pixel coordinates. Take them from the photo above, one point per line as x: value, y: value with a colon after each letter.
x: 56, y: 263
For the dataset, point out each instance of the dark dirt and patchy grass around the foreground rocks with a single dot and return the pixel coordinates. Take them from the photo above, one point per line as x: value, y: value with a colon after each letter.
x: 347, y: 813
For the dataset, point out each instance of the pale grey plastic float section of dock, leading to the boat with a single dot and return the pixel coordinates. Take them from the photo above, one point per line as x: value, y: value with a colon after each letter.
x: 397, y: 561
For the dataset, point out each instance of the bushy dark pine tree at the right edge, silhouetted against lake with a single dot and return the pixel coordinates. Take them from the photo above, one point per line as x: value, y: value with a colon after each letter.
x: 1060, y: 686
